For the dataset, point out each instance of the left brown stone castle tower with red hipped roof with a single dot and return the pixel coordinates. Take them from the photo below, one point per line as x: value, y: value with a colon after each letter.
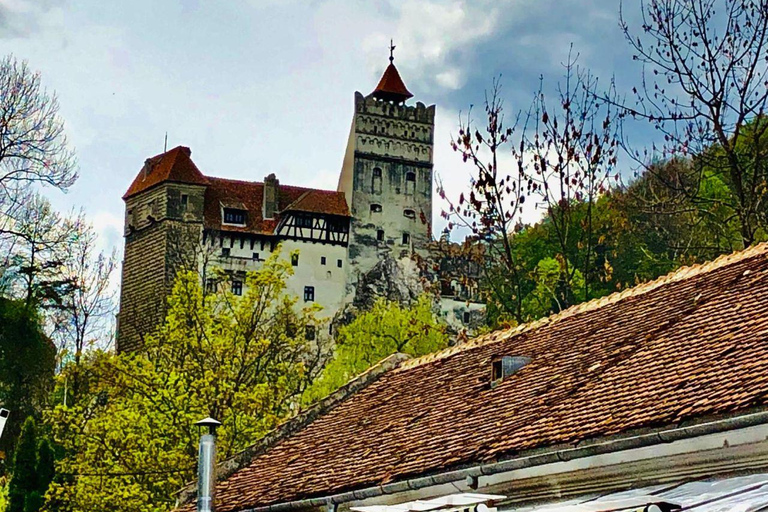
x: 163, y: 218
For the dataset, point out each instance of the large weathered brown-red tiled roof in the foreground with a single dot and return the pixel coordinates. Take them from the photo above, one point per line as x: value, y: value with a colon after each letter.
x: 689, y: 345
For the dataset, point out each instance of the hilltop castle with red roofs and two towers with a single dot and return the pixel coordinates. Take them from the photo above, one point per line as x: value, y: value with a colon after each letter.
x: 382, y: 207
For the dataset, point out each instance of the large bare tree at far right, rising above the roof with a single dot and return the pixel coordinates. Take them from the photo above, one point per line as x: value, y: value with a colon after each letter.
x: 705, y: 88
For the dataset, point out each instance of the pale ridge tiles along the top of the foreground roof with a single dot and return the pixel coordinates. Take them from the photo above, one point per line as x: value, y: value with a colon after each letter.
x: 680, y: 274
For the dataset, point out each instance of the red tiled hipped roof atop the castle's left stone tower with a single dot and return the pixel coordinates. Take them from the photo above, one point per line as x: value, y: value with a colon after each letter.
x: 173, y: 165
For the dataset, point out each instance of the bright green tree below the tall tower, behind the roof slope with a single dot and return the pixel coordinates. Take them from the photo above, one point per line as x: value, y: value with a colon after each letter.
x: 385, y: 329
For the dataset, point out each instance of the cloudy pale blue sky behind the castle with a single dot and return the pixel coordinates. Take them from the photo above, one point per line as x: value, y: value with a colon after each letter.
x: 261, y: 86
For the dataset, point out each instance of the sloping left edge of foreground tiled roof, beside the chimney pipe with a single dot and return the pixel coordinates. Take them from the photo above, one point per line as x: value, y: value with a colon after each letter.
x: 228, y: 467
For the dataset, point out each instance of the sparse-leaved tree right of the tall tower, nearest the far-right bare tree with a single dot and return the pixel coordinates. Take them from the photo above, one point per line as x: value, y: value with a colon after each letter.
x: 573, y: 145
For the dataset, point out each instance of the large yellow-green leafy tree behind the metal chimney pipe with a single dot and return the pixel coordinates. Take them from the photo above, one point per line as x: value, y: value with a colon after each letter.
x: 244, y: 360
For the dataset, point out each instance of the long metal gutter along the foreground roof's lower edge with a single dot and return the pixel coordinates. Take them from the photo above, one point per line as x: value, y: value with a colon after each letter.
x: 564, y: 455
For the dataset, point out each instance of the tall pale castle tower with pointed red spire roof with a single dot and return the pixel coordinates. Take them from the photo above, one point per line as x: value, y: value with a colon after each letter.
x: 387, y: 175
